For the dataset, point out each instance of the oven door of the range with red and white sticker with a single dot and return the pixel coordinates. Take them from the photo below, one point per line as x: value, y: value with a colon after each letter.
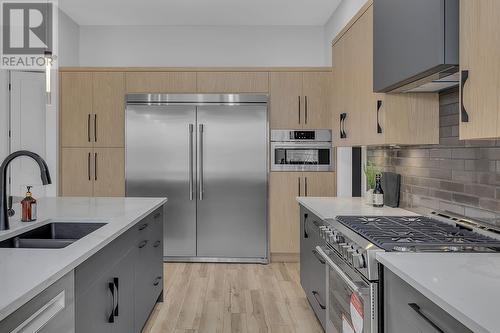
x: 352, y: 300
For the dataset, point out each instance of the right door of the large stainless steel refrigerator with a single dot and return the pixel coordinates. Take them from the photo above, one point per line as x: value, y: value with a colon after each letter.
x: 232, y: 173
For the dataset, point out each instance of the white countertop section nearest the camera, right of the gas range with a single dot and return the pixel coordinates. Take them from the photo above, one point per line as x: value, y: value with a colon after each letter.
x: 466, y: 285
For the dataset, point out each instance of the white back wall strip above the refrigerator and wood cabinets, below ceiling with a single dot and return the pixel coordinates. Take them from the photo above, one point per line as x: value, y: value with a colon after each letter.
x: 176, y: 46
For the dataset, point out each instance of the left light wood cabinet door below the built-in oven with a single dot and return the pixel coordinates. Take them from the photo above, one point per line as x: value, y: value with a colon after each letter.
x: 284, y: 187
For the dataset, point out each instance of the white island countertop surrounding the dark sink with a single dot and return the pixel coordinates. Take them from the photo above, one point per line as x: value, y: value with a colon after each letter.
x: 24, y: 273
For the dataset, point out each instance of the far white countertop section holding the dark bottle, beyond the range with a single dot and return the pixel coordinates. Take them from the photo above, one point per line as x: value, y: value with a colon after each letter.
x: 329, y: 208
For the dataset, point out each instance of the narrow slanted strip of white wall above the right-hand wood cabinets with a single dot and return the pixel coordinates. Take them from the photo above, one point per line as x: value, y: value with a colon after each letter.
x: 340, y: 17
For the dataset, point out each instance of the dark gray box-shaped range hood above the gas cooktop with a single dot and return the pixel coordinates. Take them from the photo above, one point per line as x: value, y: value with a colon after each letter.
x: 416, y: 45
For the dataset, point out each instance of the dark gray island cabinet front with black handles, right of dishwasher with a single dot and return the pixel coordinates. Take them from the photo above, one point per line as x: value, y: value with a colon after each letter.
x: 117, y: 288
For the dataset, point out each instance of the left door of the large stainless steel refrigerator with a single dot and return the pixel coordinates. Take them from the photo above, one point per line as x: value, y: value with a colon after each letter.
x: 160, y: 162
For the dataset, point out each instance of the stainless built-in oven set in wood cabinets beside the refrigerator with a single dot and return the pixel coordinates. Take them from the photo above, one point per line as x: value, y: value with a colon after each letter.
x: 301, y: 150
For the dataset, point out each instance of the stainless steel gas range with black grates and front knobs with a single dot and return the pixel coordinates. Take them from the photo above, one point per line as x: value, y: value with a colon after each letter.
x: 353, y: 272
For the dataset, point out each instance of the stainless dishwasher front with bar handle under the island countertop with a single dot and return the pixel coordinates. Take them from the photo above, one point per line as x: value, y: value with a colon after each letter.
x: 53, y: 310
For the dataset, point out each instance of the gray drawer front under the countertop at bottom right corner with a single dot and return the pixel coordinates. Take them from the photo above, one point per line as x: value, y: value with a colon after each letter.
x: 406, y: 310
